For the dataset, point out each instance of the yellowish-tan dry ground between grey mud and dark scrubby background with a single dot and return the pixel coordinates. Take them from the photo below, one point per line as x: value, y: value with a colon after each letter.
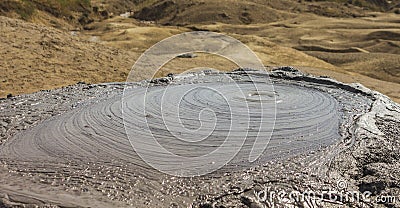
x: 364, y: 50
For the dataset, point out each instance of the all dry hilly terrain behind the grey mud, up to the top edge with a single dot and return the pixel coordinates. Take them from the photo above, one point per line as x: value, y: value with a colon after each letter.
x: 348, y: 42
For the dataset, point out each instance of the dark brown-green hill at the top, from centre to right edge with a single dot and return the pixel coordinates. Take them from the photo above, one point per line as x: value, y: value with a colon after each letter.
x: 182, y: 12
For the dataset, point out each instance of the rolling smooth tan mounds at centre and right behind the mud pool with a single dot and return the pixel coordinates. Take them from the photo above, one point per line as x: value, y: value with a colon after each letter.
x: 344, y: 48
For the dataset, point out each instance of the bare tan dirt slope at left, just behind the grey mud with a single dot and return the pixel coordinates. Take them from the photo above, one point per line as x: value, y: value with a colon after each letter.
x: 35, y: 57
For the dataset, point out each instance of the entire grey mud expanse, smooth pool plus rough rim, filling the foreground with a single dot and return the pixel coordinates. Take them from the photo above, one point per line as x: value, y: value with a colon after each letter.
x: 68, y: 147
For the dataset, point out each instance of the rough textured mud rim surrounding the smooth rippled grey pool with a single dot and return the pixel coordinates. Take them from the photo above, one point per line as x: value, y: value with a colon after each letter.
x: 363, y: 116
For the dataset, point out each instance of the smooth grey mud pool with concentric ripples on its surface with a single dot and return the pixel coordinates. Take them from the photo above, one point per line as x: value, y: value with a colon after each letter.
x: 306, y: 119
